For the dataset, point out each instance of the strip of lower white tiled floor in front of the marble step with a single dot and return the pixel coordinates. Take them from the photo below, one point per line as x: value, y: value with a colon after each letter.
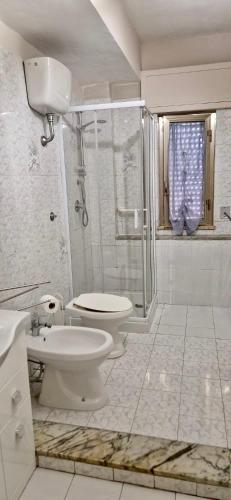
x: 52, y: 485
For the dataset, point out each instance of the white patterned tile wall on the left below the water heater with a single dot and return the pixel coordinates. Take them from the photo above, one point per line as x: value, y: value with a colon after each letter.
x: 32, y: 248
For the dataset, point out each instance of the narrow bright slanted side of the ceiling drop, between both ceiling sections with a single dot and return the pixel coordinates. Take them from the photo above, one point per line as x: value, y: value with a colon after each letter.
x: 115, y: 18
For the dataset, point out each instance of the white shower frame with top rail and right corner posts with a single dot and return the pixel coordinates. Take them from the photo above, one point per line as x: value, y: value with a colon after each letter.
x: 147, y: 215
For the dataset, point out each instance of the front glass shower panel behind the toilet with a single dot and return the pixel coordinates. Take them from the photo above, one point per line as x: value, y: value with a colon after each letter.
x: 112, y: 153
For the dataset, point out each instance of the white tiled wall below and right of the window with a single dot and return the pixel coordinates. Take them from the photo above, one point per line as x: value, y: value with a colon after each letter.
x: 194, y: 271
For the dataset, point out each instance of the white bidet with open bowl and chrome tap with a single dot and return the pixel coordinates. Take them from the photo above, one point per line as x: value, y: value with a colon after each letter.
x: 72, y: 356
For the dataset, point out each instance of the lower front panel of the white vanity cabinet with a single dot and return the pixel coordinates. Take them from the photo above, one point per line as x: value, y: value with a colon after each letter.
x: 18, y: 451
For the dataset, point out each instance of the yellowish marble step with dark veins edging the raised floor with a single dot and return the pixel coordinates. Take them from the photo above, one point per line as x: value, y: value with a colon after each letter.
x: 146, y: 461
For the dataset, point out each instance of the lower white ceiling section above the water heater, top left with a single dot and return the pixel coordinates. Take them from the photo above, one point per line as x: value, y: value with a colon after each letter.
x: 71, y: 31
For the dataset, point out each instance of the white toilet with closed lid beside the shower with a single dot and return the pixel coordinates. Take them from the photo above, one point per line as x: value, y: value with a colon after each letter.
x: 104, y: 311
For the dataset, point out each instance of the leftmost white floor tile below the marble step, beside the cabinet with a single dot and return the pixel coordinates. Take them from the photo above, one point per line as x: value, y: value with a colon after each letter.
x: 47, y: 484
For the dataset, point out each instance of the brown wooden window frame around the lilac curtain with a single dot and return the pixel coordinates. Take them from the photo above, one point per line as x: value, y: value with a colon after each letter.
x: 164, y: 124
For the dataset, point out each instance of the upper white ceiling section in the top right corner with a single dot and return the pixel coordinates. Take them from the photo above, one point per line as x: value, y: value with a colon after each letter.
x: 156, y: 19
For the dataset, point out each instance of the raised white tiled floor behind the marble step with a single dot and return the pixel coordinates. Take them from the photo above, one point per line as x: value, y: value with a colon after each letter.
x: 174, y: 382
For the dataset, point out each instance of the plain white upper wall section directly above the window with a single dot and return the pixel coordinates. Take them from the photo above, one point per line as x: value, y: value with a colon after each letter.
x: 187, y: 88
